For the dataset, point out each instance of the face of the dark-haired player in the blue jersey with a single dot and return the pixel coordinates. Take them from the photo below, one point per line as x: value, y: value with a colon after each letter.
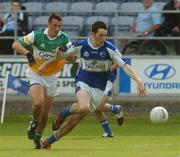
x: 99, y: 37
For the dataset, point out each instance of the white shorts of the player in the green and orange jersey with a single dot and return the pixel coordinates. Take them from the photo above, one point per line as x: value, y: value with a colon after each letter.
x: 48, y: 82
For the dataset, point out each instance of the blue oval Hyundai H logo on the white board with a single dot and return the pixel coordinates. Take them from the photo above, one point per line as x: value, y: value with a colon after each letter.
x: 160, y: 71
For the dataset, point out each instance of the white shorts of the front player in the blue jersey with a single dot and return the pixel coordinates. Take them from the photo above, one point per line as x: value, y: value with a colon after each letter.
x: 96, y: 95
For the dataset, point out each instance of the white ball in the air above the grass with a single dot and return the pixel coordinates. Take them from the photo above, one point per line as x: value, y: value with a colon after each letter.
x: 158, y: 115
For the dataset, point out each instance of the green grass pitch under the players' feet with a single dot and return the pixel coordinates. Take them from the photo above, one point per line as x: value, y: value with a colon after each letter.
x: 136, y: 138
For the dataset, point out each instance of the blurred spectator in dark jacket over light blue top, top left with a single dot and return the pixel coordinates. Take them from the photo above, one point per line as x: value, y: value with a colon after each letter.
x: 9, y: 25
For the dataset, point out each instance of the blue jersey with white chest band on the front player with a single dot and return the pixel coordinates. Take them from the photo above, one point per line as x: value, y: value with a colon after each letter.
x: 95, y: 63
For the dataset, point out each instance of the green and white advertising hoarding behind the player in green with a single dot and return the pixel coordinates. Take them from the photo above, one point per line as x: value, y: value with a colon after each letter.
x: 17, y: 67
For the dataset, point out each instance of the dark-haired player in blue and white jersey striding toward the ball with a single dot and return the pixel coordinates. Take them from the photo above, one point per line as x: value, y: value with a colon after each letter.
x: 92, y: 82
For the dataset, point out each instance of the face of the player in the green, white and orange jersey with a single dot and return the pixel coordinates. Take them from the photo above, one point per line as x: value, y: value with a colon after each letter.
x: 54, y: 27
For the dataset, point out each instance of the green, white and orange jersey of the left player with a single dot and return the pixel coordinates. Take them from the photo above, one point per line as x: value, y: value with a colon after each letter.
x: 43, y: 47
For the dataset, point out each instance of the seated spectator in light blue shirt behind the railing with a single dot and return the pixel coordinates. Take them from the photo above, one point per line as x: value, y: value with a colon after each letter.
x: 146, y: 23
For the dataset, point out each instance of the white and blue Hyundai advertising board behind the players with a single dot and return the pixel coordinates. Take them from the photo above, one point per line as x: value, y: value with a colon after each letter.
x: 159, y: 75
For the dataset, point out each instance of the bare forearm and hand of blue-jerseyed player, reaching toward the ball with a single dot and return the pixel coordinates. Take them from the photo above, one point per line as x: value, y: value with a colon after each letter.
x: 140, y: 86
